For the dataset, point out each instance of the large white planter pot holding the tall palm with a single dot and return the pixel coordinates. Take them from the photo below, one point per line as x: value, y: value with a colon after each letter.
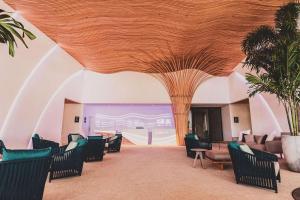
x: 291, y: 151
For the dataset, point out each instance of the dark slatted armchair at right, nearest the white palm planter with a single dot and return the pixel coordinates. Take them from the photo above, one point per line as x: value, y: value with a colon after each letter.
x: 256, y: 170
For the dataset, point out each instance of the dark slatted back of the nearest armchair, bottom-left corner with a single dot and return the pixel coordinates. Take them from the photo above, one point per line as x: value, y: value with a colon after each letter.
x: 23, y: 179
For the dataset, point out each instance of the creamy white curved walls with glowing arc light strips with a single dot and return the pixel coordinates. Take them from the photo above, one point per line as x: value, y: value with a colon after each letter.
x: 36, y: 81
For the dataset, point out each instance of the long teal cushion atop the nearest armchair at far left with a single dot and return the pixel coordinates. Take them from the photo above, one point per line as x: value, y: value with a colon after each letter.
x: 25, y: 154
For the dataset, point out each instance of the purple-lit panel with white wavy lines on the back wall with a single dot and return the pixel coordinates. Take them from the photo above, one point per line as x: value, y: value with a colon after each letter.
x: 118, y: 117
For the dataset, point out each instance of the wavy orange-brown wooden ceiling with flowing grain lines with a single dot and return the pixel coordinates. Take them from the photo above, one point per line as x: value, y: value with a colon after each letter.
x: 109, y: 36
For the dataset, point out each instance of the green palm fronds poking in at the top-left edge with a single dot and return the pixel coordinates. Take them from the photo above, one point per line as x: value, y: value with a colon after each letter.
x: 10, y: 29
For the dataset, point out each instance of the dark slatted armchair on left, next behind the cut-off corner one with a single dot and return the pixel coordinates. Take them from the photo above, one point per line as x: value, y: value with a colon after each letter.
x: 68, y: 163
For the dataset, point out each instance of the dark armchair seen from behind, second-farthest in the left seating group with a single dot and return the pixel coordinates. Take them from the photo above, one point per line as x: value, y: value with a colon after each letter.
x: 94, y: 149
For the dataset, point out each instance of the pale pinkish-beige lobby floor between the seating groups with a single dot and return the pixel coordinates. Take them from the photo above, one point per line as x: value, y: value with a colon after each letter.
x: 154, y: 172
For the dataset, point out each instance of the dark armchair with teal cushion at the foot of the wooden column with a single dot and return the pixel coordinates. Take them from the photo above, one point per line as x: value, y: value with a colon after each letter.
x: 193, y: 141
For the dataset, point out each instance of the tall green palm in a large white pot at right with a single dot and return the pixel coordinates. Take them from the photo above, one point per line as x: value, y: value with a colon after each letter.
x: 274, y: 54
